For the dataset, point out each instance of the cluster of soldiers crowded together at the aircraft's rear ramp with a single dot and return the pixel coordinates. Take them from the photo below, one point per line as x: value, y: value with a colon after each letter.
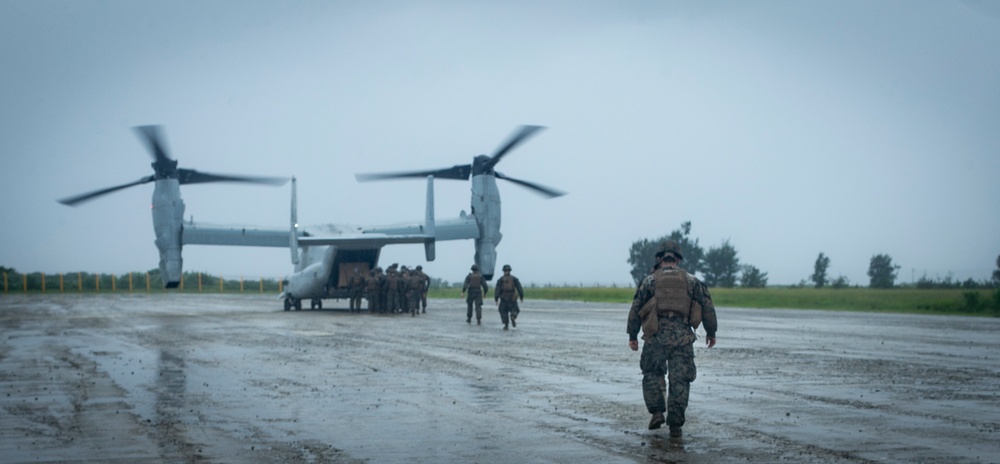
x: 397, y: 290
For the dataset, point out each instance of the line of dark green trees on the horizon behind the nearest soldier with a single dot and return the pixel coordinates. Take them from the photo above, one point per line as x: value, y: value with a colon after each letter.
x: 720, y: 266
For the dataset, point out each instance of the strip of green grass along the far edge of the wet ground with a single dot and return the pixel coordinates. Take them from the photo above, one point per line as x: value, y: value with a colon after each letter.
x: 897, y: 300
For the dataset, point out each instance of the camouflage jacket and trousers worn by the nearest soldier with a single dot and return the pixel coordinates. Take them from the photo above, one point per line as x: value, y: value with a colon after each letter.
x: 670, y: 349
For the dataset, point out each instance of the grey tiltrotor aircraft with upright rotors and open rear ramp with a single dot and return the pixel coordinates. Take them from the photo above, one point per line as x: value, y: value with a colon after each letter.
x: 324, y: 256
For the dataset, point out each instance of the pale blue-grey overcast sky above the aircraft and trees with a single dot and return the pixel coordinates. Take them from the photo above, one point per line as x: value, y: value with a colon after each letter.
x: 788, y: 128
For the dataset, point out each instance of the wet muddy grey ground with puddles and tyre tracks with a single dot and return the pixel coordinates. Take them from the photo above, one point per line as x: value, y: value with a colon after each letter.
x: 233, y: 378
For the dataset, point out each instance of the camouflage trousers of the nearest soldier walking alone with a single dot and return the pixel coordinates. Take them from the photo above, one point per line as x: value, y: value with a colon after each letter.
x: 677, y: 363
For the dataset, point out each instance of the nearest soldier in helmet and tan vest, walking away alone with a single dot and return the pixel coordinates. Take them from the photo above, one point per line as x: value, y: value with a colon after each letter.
x: 668, y: 306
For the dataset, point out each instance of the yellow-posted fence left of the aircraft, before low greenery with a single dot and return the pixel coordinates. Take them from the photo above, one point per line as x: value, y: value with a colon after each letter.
x: 134, y: 281
